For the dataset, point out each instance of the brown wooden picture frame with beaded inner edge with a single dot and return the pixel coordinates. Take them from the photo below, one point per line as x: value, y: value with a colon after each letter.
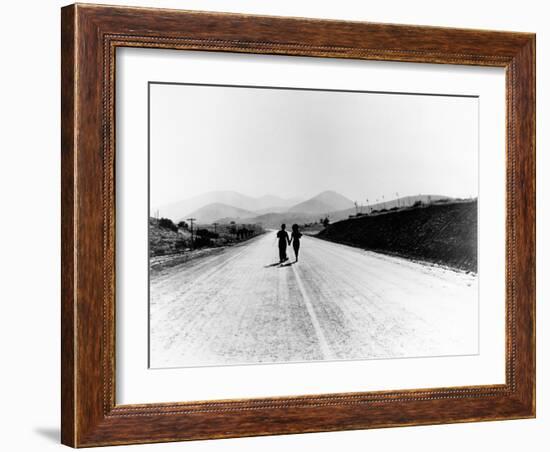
x: 90, y: 36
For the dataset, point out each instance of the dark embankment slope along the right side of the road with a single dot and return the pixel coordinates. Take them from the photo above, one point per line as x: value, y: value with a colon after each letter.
x: 445, y: 234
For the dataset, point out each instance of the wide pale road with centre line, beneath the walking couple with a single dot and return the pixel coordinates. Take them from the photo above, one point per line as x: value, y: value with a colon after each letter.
x: 337, y: 302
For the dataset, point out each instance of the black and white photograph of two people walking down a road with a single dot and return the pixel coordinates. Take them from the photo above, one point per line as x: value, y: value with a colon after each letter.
x: 292, y: 225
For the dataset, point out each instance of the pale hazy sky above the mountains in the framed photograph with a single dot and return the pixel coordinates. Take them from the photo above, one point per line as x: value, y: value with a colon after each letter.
x: 298, y: 143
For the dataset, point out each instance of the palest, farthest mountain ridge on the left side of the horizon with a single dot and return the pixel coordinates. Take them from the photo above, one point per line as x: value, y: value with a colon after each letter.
x: 262, y: 204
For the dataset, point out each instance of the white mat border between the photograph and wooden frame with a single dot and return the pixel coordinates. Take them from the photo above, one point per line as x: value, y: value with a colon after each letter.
x: 136, y: 383
